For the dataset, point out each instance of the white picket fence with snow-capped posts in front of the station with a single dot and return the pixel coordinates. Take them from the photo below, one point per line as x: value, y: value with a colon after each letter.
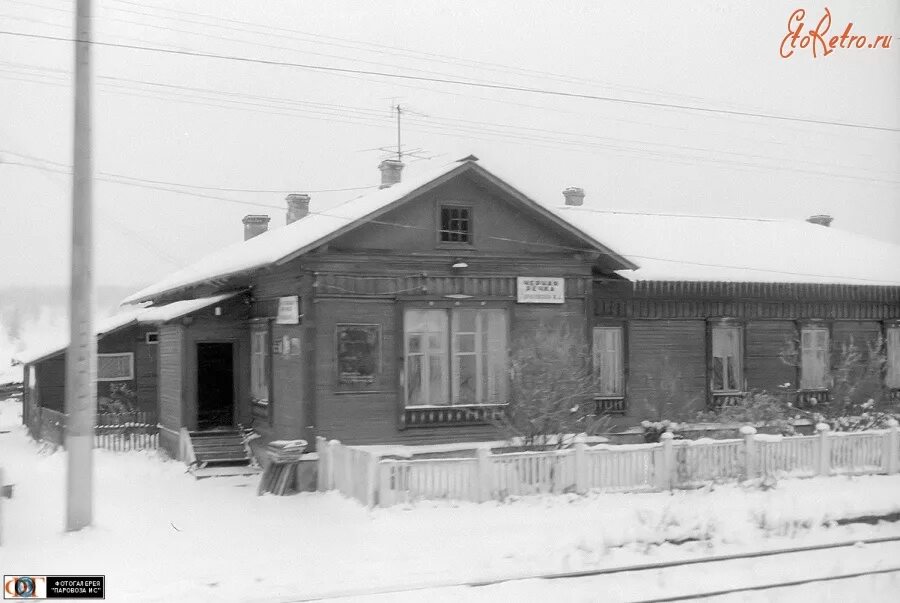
x: 361, y: 475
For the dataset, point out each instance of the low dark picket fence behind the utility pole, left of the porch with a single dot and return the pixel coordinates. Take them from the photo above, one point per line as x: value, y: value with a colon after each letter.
x: 119, y: 431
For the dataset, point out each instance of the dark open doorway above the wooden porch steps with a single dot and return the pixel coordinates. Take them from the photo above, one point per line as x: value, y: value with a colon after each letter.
x: 215, y: 385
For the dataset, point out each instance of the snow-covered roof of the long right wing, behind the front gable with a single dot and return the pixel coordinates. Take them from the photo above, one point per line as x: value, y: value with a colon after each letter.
x: 675, y: 247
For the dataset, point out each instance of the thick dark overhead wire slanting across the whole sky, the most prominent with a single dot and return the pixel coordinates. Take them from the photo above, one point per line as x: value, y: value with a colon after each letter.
x: 457, y: 82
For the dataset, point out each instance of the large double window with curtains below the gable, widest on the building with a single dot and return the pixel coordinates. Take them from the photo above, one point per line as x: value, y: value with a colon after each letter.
x: 455, y: 356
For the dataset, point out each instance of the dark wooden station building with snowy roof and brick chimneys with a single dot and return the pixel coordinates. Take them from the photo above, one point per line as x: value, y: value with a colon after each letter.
x: 391, y: 318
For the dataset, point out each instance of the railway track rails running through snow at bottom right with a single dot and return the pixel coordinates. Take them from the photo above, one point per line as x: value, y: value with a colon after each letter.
x: 645, y: 567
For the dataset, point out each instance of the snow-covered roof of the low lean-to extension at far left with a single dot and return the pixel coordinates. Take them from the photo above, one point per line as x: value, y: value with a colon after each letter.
x: 126, y: 318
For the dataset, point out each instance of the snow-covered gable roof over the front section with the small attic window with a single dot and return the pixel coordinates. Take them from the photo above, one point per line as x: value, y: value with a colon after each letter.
x: 317, y: 228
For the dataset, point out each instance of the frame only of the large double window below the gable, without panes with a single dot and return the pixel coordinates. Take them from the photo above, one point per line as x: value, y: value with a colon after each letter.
x: 448, y: 345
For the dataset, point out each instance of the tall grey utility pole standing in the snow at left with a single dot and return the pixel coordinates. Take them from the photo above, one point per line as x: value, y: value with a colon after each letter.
x: 81, y: 389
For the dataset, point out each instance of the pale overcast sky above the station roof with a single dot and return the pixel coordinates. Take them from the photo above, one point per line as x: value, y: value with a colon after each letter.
x: 226, y: 124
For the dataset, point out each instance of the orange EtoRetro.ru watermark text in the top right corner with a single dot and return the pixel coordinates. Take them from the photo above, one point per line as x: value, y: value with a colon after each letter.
x: 817, y: 40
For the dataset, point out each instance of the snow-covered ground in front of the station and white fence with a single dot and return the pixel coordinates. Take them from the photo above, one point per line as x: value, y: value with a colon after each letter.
x: 161, y: 535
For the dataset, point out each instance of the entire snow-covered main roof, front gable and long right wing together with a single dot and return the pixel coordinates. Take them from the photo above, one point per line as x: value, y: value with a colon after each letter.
x: 651, y: 246
